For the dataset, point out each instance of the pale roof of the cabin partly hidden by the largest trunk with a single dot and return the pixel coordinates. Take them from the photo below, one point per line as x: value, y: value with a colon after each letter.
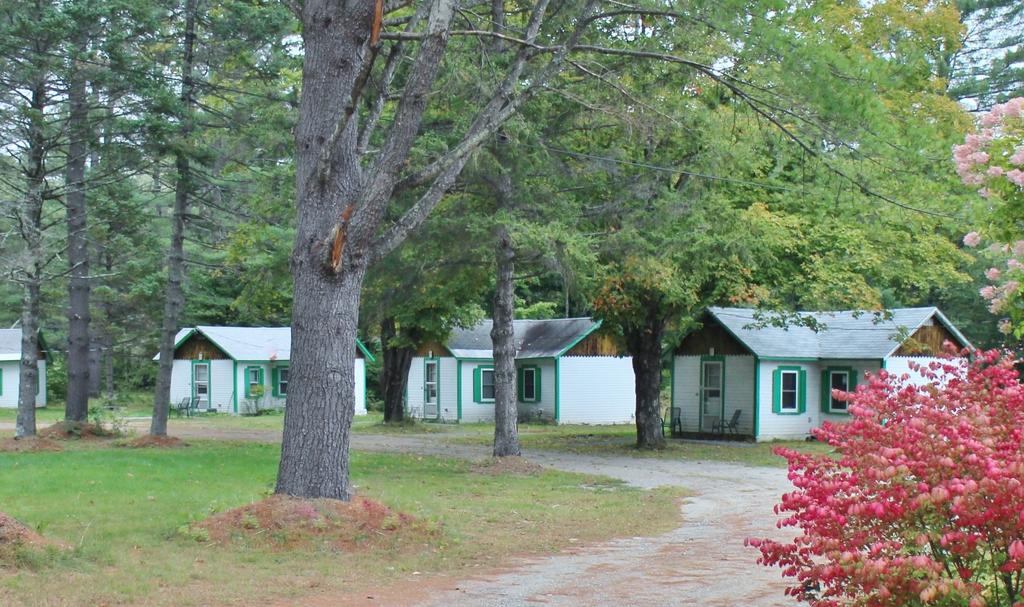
x: 251, y: 343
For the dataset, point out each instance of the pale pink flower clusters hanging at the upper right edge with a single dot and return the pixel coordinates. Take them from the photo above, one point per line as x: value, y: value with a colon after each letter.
x: 993, y: 160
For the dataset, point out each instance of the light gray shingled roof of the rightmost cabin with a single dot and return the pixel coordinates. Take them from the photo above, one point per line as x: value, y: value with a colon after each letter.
x: 846, y: 334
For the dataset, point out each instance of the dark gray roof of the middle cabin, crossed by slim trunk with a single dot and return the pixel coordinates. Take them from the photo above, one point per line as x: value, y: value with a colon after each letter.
x: 534, y: 339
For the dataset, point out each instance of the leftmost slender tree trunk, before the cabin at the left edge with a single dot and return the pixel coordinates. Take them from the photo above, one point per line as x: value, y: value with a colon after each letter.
x: 31, y: 227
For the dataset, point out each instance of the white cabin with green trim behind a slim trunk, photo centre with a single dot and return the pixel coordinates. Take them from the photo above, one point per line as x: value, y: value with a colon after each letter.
x: 568, y: 372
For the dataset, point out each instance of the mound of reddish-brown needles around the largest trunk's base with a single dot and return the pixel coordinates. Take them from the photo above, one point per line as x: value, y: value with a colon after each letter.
x: 282, y: 523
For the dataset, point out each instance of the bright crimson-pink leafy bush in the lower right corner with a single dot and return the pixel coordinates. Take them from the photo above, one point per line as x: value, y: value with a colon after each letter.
x: 924, y: 503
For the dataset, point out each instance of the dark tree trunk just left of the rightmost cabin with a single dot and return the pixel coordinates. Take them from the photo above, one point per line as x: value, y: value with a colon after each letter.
x: 646, y: 345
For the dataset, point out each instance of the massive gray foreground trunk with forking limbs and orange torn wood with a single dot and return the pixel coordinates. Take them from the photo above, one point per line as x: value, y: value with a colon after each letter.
x: 342, y: 208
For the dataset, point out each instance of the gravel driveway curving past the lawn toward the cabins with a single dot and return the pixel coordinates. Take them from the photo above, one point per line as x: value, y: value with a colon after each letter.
x: 703, y: 562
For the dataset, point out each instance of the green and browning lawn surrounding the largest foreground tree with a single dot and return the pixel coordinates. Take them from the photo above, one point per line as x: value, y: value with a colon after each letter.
x: 122, y: 508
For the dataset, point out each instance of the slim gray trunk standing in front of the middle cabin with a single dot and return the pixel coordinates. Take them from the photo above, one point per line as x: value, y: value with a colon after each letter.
x: 503, y: 338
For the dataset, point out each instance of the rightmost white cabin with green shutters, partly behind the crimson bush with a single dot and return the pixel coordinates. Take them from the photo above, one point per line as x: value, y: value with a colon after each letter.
x: 781, y: 379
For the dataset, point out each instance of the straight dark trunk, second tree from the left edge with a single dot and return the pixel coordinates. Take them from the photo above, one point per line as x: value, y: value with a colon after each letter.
x: 77, y: 406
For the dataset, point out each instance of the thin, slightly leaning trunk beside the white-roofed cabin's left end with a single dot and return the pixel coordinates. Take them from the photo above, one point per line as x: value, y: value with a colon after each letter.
x: 174, y: 295
